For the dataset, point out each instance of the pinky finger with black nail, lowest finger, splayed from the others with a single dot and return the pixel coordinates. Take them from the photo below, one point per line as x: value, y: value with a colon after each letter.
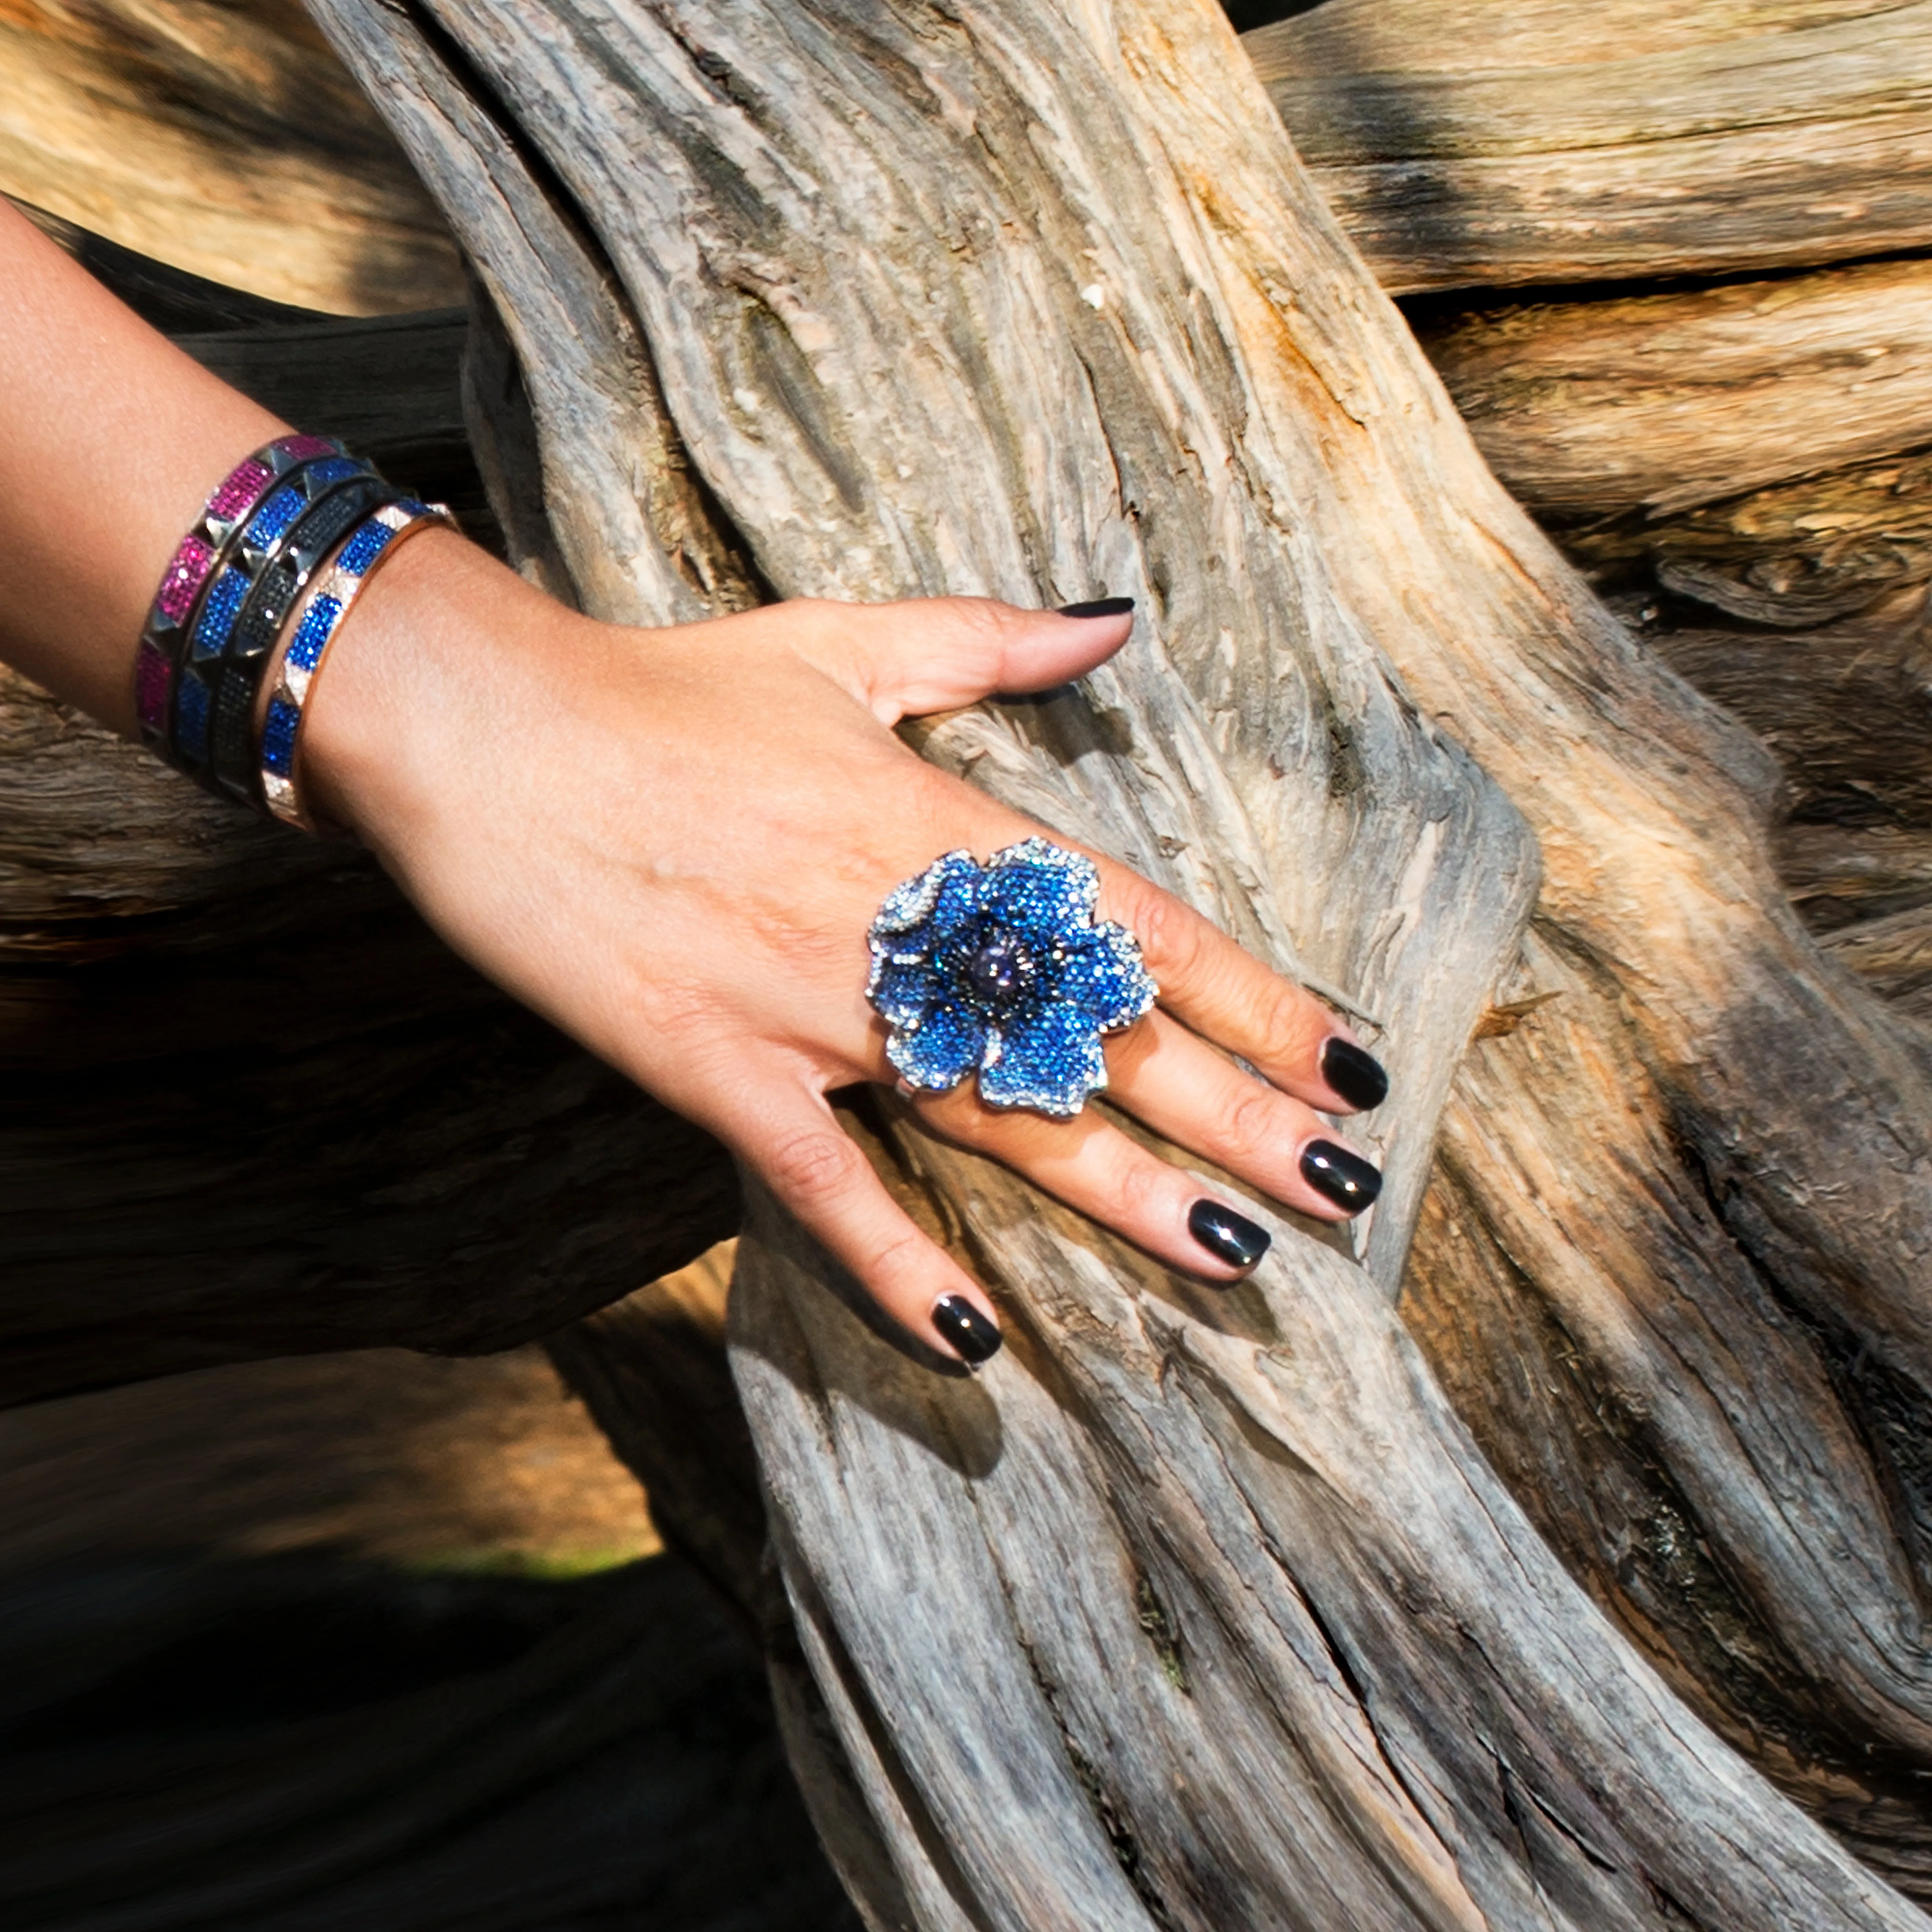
x: 809, y: 1160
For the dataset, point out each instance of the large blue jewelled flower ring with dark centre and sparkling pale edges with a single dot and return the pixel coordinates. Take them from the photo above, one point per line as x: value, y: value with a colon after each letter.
x: 1002, y: 971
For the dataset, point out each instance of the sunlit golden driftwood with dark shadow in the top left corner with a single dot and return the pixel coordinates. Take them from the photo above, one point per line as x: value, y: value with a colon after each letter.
x: 223, y: 140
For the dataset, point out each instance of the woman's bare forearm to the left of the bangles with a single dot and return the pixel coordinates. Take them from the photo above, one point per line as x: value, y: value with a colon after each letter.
x: 109, y: 443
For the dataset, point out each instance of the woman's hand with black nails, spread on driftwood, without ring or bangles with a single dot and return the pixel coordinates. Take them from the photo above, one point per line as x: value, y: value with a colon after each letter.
x: 673, y: 845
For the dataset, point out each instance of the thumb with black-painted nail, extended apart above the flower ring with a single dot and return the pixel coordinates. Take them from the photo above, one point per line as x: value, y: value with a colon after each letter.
x: 938, y: 654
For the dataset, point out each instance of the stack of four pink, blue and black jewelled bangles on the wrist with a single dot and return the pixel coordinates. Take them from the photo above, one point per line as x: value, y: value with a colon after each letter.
x: 227, y: 596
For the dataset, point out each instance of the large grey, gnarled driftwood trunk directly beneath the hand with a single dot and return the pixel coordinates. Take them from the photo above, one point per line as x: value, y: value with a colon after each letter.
x: 1205, y: 1610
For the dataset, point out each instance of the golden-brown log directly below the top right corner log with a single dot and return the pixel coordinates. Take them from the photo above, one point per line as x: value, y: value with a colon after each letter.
x: 1761, y: 447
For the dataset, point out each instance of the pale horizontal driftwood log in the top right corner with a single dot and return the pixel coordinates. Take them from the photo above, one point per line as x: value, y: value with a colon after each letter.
x: 1471, y: 146
